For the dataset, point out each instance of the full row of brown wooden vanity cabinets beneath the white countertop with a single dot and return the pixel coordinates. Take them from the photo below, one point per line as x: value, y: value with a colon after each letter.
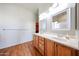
x: 51, y: 48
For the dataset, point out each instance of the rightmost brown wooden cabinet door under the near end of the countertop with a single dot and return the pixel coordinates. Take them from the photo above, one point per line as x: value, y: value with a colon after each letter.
x: 64, y: 51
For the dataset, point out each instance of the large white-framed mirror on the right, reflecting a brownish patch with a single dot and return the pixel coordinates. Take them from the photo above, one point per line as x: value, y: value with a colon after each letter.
x: 62, y: 20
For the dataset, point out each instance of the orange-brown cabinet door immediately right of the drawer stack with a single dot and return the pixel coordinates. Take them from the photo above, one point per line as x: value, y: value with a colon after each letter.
x: 49, y: 48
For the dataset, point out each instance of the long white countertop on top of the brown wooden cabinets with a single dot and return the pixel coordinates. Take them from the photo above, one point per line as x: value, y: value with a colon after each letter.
x: 73, y: 43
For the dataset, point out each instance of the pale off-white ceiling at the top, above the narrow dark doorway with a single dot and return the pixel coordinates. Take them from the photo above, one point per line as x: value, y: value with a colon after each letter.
x: 34, y: 6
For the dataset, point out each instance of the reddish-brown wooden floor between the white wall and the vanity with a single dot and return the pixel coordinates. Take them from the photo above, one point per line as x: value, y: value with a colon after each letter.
x: 25, y: 49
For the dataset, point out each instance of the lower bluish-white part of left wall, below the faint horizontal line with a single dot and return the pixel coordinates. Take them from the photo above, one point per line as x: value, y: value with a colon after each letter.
x: 13, y: 37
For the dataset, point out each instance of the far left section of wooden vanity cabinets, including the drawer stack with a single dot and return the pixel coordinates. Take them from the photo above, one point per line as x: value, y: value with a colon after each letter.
x: 38, y: 43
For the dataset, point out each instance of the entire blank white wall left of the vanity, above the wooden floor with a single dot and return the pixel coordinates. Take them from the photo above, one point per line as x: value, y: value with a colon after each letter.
x: 18, y: 22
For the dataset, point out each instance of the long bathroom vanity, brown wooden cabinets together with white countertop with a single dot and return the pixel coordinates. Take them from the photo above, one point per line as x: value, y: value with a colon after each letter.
x: 52, y: 46
